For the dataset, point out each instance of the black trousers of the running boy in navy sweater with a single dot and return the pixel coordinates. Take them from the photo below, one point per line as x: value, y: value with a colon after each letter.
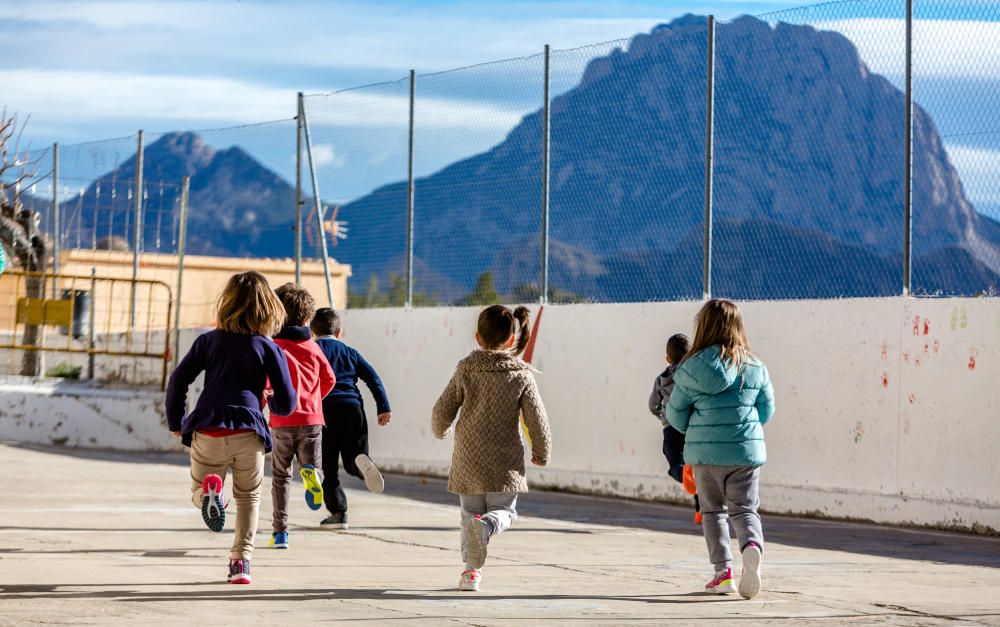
x: 345, y: 437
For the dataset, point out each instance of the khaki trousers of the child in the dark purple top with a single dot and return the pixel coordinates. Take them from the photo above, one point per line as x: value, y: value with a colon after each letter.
x: 244, y: 454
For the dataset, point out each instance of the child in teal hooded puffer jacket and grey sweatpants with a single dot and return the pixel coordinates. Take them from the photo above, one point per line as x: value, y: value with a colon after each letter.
x: 721, y: 399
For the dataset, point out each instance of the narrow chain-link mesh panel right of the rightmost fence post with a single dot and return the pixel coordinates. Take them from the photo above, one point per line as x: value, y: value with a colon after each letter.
x: 956, y: 148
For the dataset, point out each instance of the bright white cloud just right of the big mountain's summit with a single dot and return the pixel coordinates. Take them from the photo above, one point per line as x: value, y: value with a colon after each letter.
x: 941, y: 48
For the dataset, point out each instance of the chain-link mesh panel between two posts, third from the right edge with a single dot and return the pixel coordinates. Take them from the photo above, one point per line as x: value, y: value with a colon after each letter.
x: 627, y: 174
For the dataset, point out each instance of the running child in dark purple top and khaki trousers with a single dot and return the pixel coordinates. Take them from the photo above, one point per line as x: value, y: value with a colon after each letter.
x: 227, y: 428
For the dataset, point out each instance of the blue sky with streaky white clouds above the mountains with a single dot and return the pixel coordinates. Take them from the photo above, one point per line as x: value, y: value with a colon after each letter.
x: 88, y: 70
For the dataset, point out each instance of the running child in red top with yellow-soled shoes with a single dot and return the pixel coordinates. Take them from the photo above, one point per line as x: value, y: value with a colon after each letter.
x: 298, y: 435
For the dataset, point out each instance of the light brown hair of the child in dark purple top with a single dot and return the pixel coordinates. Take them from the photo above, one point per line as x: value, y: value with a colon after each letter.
x: 247, y: 305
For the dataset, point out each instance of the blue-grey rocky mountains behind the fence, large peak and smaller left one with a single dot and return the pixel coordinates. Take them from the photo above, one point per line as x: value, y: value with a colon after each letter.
x: 808, y: 184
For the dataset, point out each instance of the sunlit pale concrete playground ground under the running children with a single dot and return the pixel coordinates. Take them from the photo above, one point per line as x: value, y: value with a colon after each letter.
x: 101, y: 538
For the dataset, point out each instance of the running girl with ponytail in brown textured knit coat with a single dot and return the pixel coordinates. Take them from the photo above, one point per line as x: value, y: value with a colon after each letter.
x: 493, y: 387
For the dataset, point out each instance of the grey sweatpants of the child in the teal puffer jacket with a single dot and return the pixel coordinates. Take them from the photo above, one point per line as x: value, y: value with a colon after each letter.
x: 728, y: 492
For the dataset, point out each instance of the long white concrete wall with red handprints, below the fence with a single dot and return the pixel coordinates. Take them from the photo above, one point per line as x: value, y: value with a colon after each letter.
x: 880, y: 416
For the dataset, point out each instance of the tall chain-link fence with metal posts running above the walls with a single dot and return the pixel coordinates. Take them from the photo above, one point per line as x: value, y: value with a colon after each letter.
x: 756, y: 158
